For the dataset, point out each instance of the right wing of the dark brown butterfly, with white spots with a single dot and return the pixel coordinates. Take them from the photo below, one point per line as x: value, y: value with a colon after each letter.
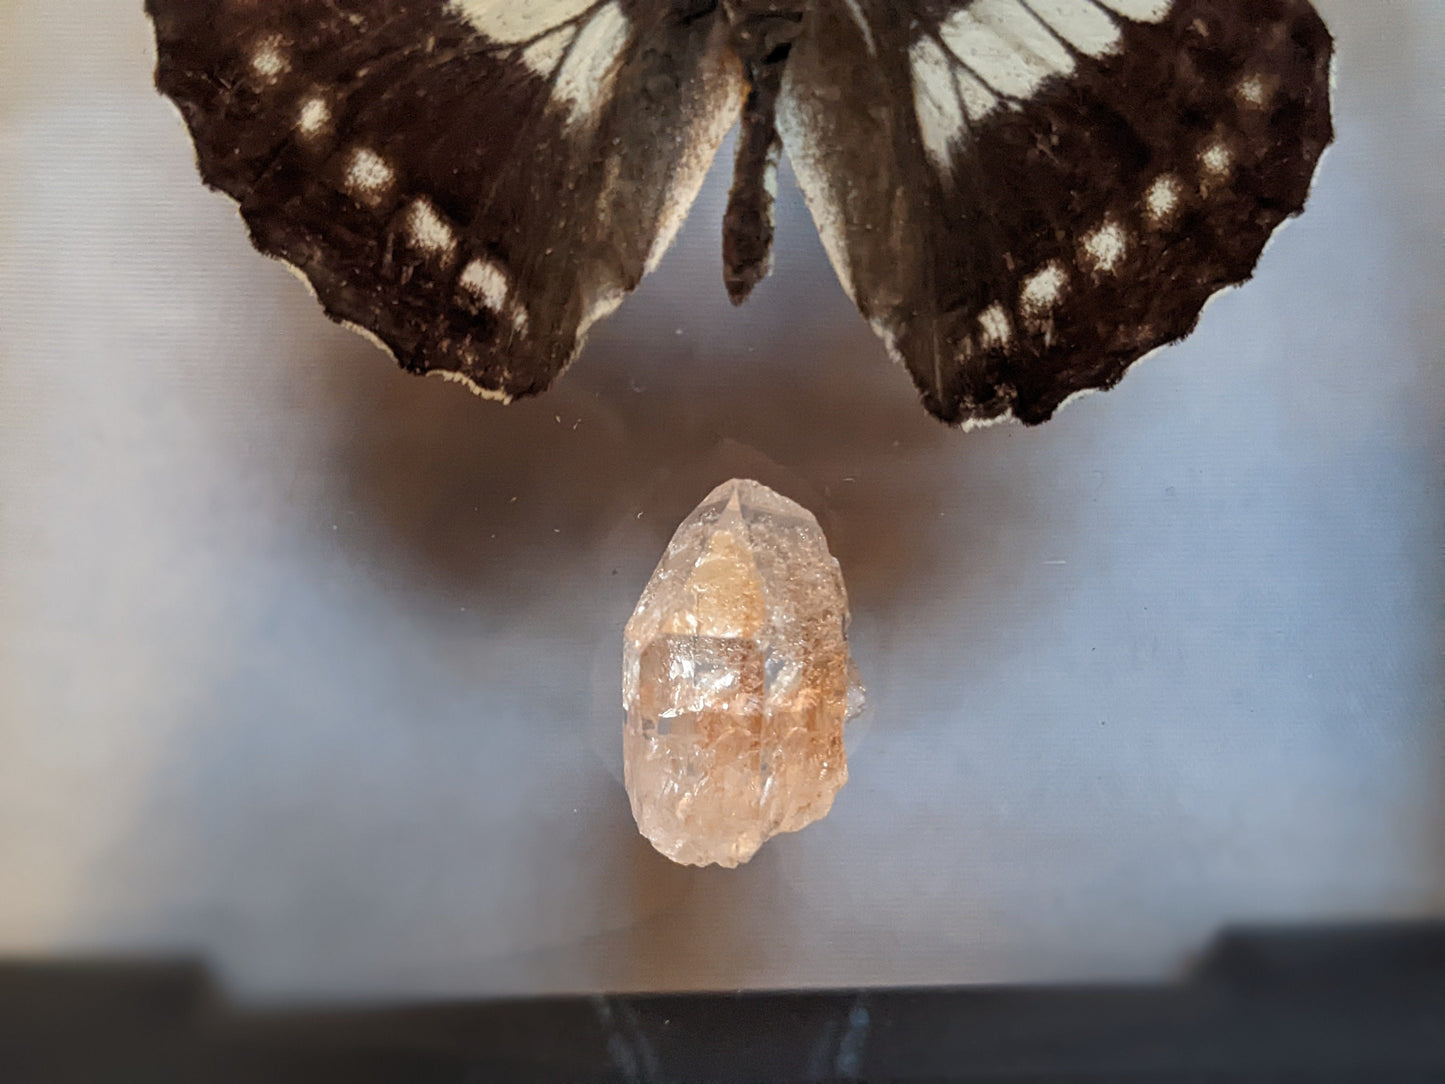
x: 1028, y: 196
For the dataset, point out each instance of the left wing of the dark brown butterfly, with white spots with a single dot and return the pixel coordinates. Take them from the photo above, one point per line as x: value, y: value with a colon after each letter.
x: 470, y: 181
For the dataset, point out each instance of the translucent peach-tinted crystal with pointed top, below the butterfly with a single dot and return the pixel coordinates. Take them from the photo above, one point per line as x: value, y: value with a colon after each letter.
x: 738, y: 681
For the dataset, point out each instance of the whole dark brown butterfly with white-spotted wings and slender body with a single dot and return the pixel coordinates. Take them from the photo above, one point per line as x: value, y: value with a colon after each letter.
x: 1021, y: 196
